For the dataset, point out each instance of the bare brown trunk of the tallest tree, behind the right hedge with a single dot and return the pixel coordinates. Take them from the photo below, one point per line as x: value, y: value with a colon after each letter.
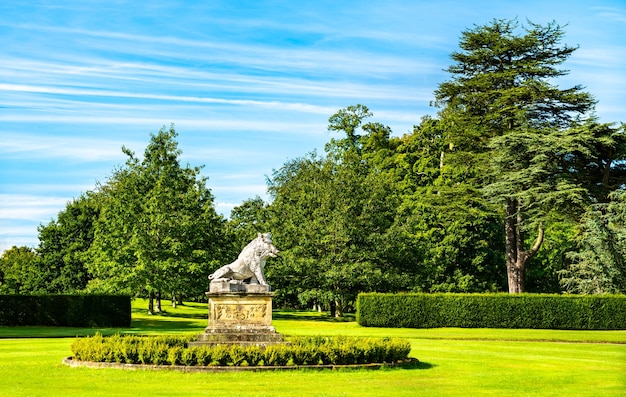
x: 516, y: 256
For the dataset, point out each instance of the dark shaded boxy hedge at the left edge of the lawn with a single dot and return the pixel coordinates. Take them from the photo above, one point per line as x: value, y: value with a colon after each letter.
x: 65, y: 310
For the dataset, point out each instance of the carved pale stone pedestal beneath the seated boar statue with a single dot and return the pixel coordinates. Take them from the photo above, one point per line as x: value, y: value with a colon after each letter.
x: 243, y: 316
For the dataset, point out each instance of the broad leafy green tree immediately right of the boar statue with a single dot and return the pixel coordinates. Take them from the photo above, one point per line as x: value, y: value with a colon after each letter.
x: 330, y: 215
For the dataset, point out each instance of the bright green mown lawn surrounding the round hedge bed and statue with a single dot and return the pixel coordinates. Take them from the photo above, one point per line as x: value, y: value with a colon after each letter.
x: 454, y: 362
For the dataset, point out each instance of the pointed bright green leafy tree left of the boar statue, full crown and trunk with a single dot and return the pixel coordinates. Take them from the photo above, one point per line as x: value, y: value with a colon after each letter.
x: 158, y: 230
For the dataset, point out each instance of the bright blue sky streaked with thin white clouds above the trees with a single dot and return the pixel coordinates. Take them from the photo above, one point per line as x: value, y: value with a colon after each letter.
x: 247, y: 84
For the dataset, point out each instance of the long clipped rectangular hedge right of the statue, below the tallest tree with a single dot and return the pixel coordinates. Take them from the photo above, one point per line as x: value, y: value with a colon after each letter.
x: 575, y: 312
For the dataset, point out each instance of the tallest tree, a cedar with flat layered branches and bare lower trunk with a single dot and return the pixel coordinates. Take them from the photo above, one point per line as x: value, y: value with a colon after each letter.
x: 506, y: 113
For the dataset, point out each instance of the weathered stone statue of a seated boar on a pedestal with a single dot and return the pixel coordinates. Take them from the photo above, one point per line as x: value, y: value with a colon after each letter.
x: 249, y: 264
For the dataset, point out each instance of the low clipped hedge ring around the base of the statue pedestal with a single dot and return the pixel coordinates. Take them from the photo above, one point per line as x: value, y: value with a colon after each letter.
x: 164, y: 350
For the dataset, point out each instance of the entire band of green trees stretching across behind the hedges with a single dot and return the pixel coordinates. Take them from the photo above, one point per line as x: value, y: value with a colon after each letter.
x: 514, y: 185
